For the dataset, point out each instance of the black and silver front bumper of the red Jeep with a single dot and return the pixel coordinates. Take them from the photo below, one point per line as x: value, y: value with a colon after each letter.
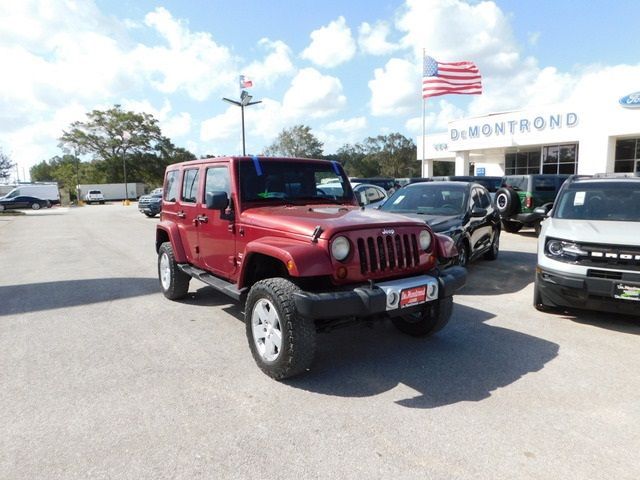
x: 383, y: 297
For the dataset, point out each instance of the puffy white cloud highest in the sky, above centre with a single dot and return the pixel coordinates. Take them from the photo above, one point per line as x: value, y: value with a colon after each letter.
x: 331, y: 45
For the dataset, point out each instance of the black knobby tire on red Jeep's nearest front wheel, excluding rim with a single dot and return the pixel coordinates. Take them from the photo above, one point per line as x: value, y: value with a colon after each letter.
x: 298, y: 334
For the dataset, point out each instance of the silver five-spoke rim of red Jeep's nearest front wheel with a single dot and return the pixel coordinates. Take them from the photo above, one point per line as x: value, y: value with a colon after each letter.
x: 266, y: 329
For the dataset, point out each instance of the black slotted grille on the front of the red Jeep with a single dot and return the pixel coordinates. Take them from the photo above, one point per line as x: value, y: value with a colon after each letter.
x: 388, y: 252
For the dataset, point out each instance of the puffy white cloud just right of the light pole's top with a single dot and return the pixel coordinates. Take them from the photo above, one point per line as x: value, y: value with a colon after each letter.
x: 313, y: 95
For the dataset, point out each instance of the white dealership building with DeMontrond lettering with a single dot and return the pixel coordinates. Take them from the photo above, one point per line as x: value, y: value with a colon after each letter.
x: 602, y: 136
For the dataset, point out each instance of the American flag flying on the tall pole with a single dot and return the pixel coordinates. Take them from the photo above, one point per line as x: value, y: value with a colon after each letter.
x: 440, y: 78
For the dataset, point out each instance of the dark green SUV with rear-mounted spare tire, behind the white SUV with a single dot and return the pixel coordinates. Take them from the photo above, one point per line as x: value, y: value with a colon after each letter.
x: 519, y: 196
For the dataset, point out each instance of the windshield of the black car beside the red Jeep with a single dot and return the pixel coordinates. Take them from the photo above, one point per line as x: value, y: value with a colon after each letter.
x: 433, y: 198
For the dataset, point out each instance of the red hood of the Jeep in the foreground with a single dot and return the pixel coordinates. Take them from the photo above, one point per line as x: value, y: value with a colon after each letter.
x: 302, y: 220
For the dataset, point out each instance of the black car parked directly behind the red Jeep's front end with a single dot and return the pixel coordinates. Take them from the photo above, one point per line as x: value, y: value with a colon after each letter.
x: 460, y: 210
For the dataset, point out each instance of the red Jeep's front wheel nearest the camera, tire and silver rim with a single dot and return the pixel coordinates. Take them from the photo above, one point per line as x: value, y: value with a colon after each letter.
x: 282, y: 342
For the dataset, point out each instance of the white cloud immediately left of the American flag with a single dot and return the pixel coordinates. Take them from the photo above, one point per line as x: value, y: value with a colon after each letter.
x: 395, y: 89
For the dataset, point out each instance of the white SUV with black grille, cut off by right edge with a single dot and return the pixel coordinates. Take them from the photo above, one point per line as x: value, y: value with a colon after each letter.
x: 589, y: 246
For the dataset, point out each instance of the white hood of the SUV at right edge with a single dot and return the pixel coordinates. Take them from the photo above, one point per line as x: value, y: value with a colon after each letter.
x: 594, y: 231
